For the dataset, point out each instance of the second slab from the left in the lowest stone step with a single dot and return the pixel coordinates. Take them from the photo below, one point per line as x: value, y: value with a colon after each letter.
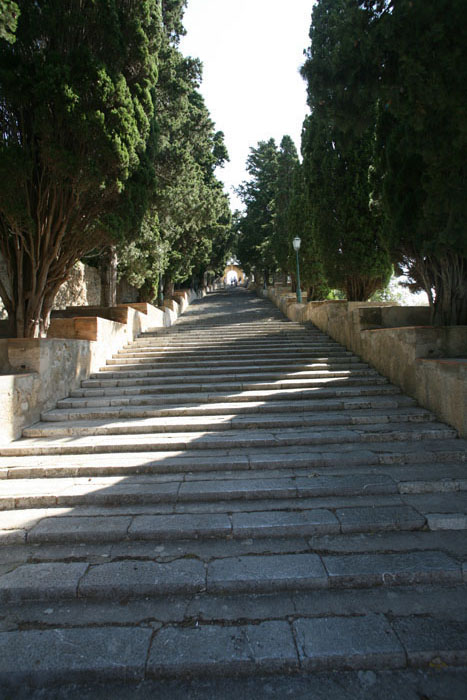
x: 222, y: 650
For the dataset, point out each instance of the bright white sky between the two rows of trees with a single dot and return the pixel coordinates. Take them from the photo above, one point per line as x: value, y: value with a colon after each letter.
x: 252, y: 51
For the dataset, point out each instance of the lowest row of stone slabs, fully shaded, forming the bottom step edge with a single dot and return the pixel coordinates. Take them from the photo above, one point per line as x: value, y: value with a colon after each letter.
x: 110, y: 653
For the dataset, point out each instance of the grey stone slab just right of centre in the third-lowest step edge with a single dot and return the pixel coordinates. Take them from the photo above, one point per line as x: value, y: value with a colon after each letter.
x: 276, y: 523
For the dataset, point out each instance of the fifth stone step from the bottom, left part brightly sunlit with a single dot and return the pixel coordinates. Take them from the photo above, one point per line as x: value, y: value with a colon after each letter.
x: 423, y: 463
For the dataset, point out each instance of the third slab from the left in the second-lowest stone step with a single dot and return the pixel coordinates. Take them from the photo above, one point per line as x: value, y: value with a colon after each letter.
x: 266, y: 573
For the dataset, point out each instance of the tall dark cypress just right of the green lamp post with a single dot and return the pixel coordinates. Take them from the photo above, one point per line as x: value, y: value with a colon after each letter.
x: 345, y: 230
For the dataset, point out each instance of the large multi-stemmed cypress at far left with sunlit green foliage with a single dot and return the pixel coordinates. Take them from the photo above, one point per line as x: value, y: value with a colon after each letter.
x: 75, y: 117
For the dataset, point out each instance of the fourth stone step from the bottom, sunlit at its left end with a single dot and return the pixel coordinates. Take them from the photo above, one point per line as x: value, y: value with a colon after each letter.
x: 368, y: 501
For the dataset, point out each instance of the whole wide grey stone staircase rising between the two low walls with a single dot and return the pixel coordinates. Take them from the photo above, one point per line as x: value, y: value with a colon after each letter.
x: 238, y: 498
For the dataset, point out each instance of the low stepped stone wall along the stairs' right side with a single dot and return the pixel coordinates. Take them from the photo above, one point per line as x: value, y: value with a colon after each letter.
x: 428, y: 363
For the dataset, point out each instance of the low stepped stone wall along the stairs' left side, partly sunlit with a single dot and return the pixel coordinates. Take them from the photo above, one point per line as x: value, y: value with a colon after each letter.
x: 37, y: 372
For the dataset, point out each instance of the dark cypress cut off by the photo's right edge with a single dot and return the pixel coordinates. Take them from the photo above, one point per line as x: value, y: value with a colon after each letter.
x: 422, y: 151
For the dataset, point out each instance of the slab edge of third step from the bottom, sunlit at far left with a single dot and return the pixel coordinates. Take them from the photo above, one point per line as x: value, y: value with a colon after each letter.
x: 107, y: 528
